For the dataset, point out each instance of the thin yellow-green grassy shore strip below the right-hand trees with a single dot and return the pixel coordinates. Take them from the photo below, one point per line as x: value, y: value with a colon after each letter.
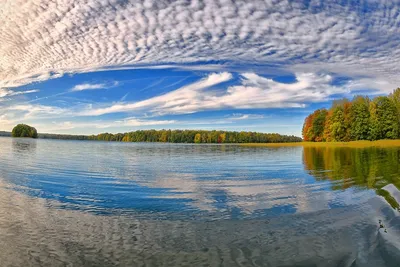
x: 356, y: 144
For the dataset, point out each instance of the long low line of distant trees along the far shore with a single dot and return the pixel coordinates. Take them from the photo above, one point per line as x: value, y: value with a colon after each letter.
x: 182, y: 136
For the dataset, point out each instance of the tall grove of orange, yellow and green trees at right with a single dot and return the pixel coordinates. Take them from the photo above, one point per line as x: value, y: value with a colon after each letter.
x: 360, y: 119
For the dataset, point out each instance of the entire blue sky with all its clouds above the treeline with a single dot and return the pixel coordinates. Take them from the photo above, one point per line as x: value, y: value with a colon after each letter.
x: 86, y: 67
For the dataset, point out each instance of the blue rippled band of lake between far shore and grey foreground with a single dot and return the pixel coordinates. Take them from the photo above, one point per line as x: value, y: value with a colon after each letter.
x: 174, y: 178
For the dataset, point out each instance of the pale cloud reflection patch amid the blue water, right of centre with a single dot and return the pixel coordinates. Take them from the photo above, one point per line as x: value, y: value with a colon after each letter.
x: 248, y: 195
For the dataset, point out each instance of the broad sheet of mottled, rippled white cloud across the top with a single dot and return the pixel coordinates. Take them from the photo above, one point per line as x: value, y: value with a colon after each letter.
x: 50, y: 38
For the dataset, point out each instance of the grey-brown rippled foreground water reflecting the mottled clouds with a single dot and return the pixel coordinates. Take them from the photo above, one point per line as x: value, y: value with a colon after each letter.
x: 35, y: 233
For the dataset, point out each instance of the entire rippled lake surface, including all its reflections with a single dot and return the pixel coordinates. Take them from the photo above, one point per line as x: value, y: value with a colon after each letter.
x: 78, y: 203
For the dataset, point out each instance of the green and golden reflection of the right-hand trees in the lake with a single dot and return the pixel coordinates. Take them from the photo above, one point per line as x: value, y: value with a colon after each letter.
x: 369, y: 168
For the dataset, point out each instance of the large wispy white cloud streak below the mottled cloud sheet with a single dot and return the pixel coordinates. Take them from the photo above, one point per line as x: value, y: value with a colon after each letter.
x: 254, y: 92
